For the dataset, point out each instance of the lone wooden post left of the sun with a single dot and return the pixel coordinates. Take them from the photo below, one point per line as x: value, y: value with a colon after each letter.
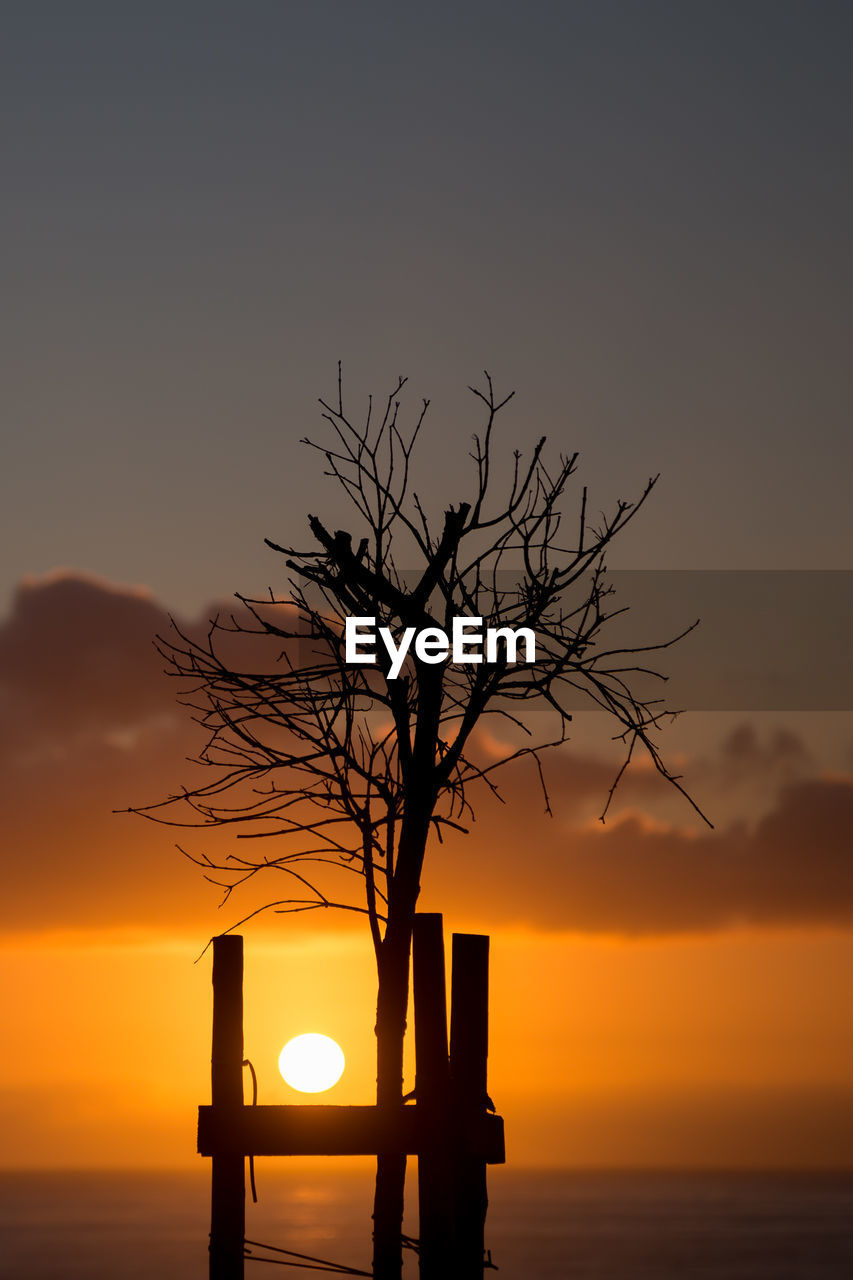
x: 227, y: 1183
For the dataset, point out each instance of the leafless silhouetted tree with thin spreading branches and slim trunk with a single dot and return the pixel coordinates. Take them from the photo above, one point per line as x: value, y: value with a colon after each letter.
x: 352, y: 766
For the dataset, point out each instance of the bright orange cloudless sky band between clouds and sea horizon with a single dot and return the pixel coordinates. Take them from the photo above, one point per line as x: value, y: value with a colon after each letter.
x: 726, y: 1050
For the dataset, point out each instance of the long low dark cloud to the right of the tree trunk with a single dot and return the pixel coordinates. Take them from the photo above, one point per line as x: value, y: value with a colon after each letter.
x: 636, y: 876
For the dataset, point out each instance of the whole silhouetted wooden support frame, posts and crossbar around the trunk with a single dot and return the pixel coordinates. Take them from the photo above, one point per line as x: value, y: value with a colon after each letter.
x: 449, y: 1128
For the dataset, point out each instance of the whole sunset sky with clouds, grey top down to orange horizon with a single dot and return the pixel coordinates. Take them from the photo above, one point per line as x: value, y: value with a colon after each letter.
x: 637, y: 217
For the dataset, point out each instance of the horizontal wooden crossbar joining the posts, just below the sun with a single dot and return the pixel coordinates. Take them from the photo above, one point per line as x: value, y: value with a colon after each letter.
x: 325, y: 1131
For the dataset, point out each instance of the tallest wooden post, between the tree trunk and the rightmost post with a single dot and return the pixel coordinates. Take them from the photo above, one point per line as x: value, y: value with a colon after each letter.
x: 432, y: 1090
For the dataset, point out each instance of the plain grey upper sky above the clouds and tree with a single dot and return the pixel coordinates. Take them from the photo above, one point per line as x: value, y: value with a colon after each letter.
x: 636, y: 214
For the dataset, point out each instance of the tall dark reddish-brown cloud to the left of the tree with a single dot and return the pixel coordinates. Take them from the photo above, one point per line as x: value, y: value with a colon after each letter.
x: 90, y: 724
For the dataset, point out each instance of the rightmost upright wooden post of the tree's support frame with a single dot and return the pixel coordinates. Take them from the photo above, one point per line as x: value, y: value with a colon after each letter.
x: 468, y: 1063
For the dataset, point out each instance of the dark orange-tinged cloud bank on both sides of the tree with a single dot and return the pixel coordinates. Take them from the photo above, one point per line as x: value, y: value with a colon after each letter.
x: 90, y: 725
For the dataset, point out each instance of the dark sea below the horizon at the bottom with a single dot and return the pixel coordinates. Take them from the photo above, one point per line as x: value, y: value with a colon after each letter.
x: 542, y: 1226
